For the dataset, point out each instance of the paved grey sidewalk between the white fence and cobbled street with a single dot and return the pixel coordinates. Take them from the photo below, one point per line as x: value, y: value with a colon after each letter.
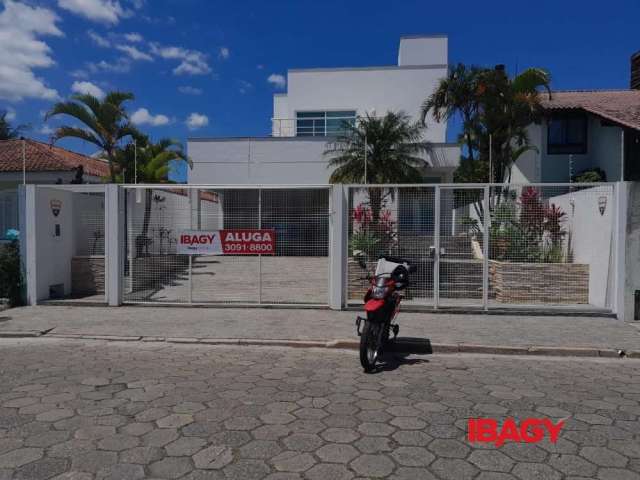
x: 592, y: 336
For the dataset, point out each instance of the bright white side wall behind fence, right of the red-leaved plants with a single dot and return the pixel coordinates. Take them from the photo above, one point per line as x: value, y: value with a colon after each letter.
x: 592, y: 238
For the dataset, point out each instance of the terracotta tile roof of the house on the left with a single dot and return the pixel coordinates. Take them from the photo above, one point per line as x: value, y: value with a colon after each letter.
x: 42, y: 157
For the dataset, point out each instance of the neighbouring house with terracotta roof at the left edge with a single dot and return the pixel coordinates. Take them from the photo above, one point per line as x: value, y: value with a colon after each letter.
x: 45, y: 164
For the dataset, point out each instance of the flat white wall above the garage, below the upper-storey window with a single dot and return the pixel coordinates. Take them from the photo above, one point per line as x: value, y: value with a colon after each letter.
x: 283, y: 161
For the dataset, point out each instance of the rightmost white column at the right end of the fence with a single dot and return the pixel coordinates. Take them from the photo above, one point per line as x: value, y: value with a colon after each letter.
x: 620, y: 225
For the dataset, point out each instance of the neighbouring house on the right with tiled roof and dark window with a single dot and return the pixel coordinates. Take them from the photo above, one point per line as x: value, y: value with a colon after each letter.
x: 582, y: 130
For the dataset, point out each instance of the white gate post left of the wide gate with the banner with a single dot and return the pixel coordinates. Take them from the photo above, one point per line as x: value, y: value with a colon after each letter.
x: 114, y: 244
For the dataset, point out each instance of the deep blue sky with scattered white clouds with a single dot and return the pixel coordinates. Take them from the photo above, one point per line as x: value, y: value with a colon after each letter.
x: 219, y: 63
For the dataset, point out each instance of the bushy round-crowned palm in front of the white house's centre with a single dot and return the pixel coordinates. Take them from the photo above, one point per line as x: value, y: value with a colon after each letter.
x: 394, y: 154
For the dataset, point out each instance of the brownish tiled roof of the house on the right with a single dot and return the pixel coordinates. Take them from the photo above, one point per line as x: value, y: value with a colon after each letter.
x: 619, y: 106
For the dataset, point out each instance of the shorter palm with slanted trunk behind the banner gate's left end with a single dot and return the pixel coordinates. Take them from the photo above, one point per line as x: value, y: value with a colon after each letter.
x: 154, y: 161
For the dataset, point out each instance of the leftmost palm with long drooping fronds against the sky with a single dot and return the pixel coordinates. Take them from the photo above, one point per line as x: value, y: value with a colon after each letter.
x: 105, y: 122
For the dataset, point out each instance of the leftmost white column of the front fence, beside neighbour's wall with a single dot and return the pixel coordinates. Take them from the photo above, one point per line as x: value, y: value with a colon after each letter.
x: 27, y: 225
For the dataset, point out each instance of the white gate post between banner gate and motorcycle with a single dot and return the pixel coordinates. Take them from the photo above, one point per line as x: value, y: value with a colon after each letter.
x: 338, y: 205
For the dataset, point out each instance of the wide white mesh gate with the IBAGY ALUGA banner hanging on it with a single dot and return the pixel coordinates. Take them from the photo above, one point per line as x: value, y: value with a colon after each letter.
x: 295, y: 272
